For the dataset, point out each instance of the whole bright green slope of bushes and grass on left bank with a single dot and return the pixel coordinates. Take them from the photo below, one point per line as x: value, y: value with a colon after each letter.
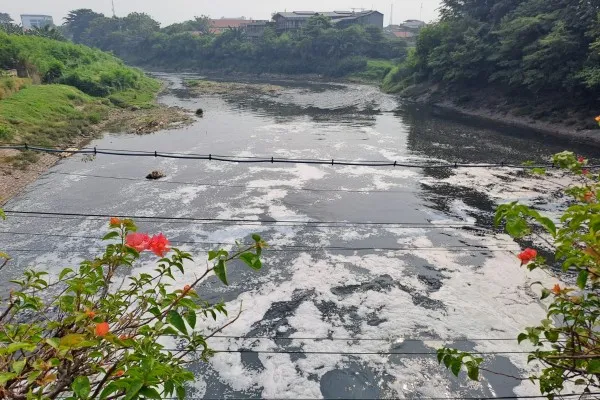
x: 64, y: 89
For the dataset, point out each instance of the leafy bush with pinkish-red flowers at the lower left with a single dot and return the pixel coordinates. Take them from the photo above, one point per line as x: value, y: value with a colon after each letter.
x: 95, y: 333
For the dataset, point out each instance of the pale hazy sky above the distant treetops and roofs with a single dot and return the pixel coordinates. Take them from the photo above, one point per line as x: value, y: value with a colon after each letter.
x: 169, y: 11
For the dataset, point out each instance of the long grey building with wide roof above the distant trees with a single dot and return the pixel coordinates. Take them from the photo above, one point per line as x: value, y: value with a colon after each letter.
x: 290, y: 21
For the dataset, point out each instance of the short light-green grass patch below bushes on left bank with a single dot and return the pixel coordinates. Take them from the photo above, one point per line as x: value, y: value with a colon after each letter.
x: 49, y: 115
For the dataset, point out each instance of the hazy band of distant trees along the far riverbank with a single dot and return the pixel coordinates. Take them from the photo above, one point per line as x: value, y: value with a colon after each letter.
x: 318, y: 48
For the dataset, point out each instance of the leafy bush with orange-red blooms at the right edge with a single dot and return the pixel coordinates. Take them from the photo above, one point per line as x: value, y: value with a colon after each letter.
x: 566, y: 343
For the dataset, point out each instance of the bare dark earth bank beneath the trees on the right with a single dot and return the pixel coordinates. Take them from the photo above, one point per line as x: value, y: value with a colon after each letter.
x: 572, y: 125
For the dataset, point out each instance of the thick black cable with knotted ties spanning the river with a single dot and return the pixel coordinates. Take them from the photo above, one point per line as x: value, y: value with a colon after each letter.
x: 273, y: 160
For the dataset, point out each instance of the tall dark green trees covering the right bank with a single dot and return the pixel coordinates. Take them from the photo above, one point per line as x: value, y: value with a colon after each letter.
x: 537, y: 52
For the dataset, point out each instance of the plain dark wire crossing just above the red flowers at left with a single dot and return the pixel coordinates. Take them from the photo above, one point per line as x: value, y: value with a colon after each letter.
x: 242, y: 221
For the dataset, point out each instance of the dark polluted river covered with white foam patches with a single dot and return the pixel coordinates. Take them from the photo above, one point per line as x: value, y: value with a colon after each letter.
x: 438, y: 276
